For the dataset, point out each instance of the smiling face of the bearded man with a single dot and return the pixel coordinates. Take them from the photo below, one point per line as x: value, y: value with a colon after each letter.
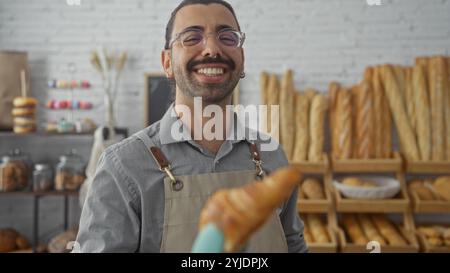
x: 198, y: 69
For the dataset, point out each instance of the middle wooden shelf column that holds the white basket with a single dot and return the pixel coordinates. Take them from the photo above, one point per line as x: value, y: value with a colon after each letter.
x: 399, y: 205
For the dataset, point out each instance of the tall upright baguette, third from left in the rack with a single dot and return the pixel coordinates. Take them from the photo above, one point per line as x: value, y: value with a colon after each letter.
x: 287, y: 113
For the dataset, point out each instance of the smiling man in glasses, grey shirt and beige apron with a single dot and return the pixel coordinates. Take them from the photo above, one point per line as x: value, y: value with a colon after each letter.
x: 149, y: 189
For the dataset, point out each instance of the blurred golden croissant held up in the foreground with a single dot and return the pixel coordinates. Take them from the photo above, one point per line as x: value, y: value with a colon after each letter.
x: 239, y: 212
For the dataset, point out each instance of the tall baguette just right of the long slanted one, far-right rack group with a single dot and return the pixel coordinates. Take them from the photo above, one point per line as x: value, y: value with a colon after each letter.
x: 422, y: 106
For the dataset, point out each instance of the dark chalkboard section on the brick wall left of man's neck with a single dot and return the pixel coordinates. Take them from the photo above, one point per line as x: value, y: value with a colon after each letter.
x: 158, y: 97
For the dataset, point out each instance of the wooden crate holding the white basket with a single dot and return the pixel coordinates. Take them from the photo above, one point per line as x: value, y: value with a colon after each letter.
x: 399, y: 204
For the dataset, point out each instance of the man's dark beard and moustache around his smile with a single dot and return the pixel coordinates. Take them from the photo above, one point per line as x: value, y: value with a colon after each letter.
x: 209, y: 92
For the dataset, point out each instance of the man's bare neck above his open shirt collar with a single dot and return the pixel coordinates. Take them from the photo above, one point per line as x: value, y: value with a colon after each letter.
x: 197, y: 121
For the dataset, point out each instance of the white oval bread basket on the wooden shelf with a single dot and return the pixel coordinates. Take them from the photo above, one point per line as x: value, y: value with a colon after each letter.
x: 387, y: 187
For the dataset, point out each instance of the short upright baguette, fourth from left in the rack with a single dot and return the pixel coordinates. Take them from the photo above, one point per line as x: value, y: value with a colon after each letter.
x: 301, y: 128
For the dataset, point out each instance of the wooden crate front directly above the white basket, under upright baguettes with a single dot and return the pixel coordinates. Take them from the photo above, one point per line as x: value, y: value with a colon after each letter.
x: 394, y: 164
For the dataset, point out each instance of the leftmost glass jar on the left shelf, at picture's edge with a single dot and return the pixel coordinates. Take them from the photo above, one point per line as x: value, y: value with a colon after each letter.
x: 15, y: 171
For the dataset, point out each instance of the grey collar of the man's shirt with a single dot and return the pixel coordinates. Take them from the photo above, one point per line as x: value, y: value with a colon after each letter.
x: 170, y: 121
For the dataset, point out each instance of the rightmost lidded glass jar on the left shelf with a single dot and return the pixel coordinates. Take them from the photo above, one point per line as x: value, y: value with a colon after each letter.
x: 70, y: 172
